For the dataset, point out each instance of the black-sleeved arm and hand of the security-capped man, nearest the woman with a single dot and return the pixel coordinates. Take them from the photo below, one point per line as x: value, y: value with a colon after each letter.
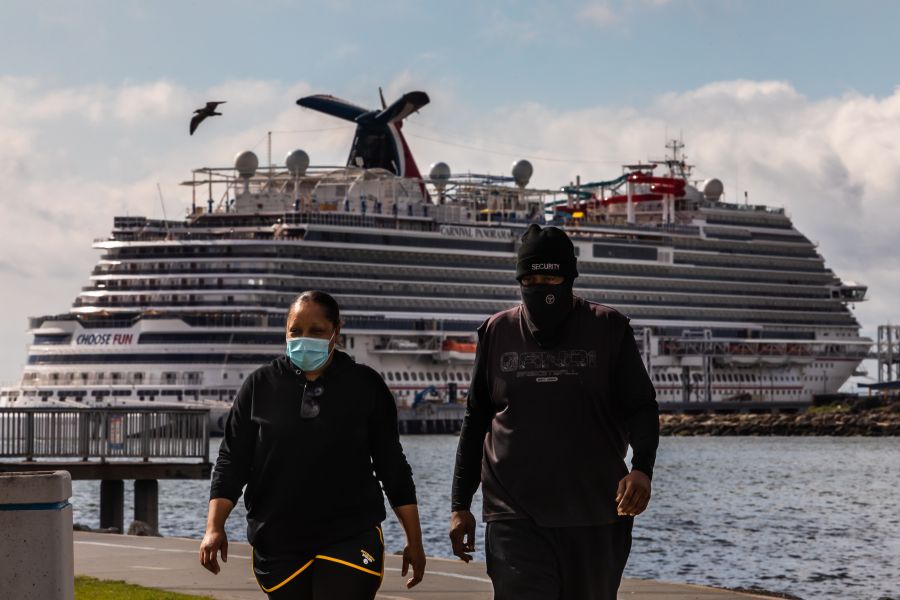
x: 469, y: 454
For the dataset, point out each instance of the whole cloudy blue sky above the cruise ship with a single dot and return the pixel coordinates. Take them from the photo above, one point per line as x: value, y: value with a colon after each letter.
x: 797, y: 103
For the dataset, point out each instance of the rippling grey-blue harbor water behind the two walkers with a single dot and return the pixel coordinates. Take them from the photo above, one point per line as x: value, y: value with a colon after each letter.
x: 814, y: 517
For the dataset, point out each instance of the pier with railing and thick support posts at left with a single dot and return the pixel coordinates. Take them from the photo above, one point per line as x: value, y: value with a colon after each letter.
x: 110, y: 445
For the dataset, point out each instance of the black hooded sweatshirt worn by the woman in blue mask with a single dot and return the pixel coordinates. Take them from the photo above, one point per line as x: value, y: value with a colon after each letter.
x: 312, y: 482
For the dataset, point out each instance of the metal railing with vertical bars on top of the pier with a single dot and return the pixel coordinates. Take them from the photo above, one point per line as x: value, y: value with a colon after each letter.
x: 108, y: 433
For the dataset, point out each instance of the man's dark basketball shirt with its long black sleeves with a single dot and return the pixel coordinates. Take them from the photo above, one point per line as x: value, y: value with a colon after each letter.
x: 546, y: 429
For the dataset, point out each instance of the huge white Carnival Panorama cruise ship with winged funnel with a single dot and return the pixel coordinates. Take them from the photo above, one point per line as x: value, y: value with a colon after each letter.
x: 729, y: 301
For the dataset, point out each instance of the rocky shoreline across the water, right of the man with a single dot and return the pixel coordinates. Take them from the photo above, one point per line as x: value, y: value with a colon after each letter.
x: 835, y: 420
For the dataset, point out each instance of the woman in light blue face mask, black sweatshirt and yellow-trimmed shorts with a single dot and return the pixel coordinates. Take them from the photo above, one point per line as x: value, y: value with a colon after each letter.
x: 304, y: 435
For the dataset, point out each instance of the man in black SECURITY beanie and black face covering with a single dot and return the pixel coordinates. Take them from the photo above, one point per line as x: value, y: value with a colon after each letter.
x: 558, y: 393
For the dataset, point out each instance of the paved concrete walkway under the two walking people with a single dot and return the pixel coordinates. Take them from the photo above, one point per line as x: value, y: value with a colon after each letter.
x: 173, y: 564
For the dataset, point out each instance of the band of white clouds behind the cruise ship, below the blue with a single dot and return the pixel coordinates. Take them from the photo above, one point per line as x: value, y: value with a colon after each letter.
x: 74, y: 157
